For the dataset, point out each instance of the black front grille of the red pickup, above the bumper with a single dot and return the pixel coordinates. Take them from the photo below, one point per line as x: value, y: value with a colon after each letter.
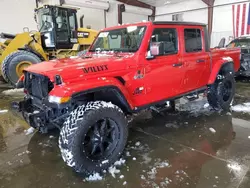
x: 37, y: 85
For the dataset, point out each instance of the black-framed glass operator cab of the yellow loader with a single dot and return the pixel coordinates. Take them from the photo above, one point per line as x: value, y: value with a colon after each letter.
x: 58, y: 27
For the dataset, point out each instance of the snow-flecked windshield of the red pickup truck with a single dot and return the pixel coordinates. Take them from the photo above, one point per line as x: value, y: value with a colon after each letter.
x: 120, y: 40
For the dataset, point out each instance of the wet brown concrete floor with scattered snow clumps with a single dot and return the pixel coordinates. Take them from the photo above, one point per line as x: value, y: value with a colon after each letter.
x: 195, y: 149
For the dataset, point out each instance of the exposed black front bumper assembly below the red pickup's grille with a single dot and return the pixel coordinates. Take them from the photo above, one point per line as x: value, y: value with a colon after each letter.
x: 42, y: 115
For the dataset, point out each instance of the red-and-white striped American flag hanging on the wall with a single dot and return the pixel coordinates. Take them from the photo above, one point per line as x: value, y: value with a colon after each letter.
x: 241, y: 19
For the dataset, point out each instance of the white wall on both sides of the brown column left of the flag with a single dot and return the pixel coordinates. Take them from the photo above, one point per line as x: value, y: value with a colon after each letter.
x: 196, y: 10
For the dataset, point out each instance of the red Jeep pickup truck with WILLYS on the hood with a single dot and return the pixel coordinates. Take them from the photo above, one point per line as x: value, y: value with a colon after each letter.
x: 128, y: 68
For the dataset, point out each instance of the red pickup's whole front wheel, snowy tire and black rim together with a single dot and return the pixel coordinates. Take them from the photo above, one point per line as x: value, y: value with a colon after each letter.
x: 93, y: 137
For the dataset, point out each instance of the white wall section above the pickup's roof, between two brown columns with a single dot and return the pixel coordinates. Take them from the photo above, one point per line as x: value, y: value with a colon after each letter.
x: 187, y: 8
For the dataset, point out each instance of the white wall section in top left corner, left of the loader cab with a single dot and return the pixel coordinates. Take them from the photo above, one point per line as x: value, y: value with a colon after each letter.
x: 17, y: 14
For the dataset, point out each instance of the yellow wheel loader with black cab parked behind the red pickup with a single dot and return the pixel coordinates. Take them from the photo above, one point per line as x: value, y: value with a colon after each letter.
x: 58, y: 37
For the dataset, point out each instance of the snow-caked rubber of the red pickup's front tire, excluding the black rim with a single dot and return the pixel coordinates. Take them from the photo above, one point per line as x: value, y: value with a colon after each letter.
x: 76, y: 126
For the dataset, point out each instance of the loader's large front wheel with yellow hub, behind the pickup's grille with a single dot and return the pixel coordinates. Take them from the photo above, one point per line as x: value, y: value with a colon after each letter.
x: 14, y: 64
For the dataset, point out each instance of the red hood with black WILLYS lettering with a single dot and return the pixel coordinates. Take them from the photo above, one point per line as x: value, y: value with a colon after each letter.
x: 75, y: 67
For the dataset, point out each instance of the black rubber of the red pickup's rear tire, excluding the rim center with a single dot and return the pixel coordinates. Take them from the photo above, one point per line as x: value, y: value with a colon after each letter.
x: 215, y: 95
